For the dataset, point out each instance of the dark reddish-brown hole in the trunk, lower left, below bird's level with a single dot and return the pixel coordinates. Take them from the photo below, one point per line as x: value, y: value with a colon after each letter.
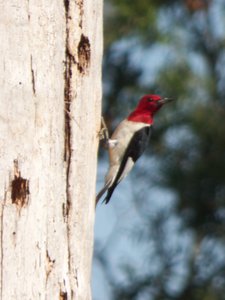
x: 20, y: 188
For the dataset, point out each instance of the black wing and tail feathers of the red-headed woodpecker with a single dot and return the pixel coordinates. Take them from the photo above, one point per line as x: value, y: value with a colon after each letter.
x: 135, y: 149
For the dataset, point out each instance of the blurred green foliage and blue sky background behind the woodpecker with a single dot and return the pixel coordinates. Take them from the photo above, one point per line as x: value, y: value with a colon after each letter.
x: 162, y: 236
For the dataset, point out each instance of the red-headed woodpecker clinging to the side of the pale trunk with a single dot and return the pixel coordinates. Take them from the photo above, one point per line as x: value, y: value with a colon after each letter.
x: 129, y: 141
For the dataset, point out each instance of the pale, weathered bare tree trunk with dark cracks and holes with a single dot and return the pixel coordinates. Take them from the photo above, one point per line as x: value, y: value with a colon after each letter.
x: 50, y: 79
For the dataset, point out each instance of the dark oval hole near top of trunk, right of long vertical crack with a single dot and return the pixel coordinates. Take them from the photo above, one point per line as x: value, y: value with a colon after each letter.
x: 84, y: 54
